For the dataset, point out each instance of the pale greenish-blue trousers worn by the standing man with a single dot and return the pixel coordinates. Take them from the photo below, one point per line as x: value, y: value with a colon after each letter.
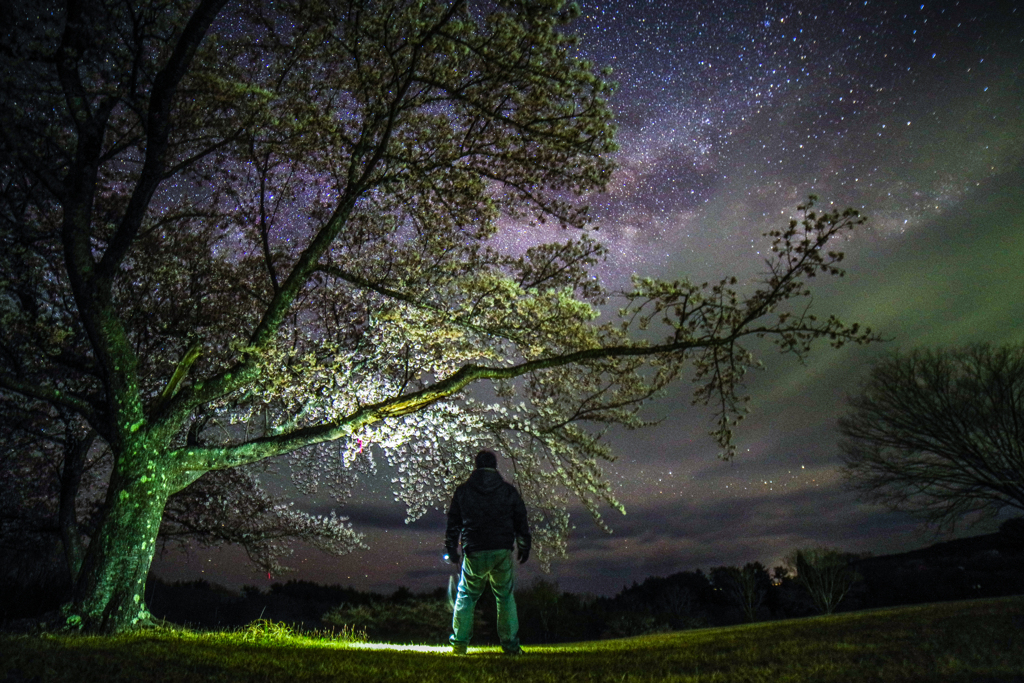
x: 494, y: 567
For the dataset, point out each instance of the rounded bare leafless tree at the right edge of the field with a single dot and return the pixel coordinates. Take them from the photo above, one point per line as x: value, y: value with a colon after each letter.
x: 941, y: 434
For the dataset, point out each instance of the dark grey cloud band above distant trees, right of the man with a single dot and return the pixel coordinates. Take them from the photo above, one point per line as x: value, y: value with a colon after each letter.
x: 670, y: 536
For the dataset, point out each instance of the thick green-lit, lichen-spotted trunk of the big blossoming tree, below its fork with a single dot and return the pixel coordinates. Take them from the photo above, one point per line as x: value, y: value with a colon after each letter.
x: 111, y: 588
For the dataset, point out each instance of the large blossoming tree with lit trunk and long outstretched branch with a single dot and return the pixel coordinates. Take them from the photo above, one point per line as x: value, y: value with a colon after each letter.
x: 232, y: 233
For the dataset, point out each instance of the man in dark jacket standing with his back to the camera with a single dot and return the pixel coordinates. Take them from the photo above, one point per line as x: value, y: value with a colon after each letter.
x: 490, y: 517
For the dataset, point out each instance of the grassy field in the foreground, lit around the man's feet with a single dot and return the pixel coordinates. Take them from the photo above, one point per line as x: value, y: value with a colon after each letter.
x: 978, y: 642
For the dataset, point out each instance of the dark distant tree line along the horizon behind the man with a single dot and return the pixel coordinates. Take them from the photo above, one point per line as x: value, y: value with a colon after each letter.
x: 813, y: 581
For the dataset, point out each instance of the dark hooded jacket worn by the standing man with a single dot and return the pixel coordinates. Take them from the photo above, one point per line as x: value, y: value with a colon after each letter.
x: 488, y: 514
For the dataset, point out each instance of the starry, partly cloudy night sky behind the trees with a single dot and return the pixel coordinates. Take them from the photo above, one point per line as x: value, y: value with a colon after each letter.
x: 731, y: 114
